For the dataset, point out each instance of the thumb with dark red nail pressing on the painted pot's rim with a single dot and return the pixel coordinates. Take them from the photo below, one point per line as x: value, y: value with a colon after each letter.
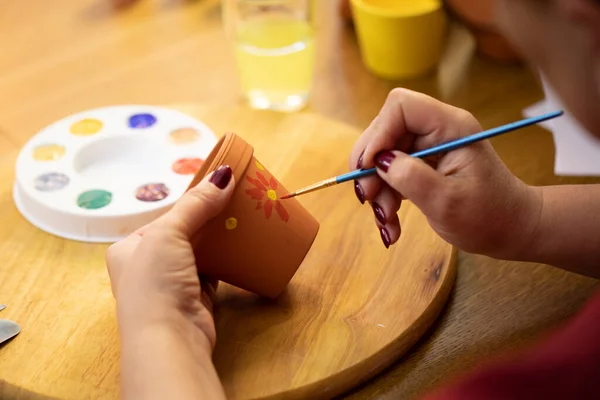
x: 202, y: 202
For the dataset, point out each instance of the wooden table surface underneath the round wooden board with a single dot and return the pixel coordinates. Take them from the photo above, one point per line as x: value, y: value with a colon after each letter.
x: 64, y: 56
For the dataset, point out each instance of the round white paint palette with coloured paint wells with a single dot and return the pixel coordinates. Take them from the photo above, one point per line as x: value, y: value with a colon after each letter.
x: 98, y: 175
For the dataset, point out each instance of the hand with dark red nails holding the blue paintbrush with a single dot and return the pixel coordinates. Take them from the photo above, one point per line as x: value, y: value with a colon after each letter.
x: 469, y: 196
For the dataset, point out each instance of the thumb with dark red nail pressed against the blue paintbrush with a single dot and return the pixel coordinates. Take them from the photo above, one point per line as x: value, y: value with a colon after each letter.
x: 412, y: 177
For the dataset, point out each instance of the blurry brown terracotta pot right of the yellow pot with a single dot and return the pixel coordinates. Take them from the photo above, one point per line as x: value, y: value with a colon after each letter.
x: 478, y: 16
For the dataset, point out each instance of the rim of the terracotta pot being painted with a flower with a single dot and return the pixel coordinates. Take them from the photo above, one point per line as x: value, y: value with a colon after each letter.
x: 220, y: 152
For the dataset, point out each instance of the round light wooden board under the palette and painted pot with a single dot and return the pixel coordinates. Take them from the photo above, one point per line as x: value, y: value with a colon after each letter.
x: 352, y: 309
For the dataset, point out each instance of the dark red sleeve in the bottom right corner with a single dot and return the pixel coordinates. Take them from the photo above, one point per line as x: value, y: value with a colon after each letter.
x: 566, y: 365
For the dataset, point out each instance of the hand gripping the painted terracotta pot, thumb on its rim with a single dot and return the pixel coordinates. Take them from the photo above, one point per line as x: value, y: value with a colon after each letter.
x: 153, y: 272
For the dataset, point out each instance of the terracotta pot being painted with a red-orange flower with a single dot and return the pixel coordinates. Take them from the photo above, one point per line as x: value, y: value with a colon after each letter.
x: 258, y: 242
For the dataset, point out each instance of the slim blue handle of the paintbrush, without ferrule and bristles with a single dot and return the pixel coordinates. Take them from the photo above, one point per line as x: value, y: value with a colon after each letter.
x: 462, y: 142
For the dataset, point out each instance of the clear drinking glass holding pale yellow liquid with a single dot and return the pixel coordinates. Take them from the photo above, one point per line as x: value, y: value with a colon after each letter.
x: 274, y: 50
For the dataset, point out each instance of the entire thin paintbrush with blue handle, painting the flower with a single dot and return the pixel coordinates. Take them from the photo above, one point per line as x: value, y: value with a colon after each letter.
x: 455, y: 144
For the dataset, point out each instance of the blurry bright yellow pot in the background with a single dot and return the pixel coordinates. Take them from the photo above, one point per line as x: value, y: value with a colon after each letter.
x: 400, y: 39
